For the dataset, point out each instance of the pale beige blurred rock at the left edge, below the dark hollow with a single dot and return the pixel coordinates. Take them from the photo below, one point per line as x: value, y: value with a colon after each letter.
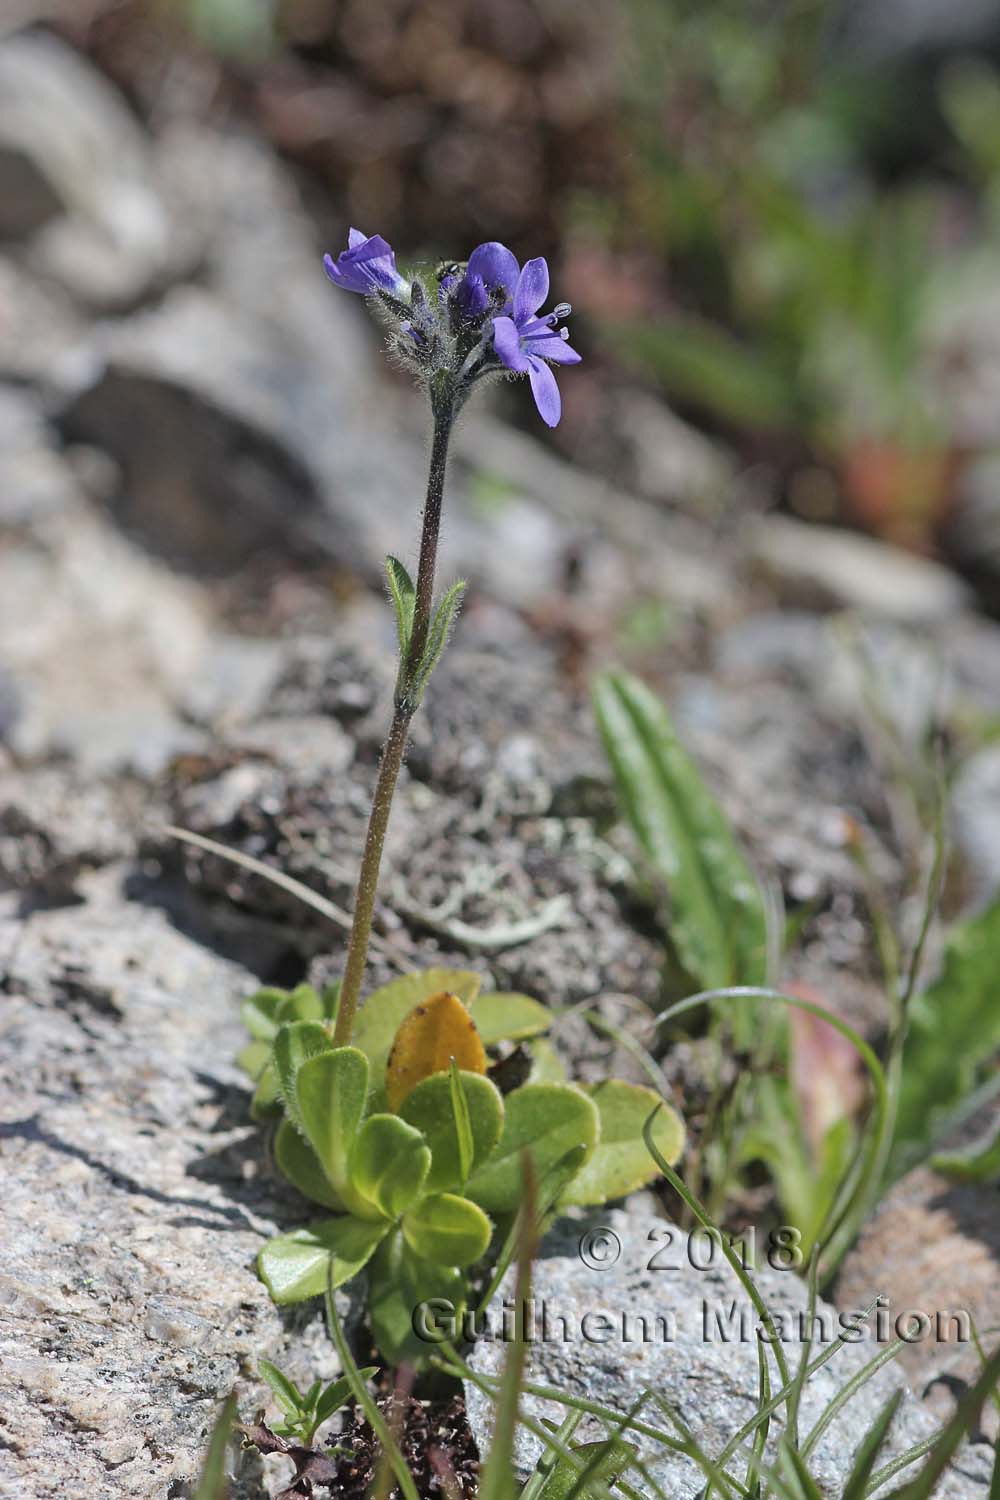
x: 100, y: 638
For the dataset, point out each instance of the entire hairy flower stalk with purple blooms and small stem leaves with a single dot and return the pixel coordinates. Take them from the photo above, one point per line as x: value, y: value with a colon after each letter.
x: 475, y: 322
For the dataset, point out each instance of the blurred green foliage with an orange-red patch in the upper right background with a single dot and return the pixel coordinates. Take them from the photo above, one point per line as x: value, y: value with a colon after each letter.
x: 794, y: 293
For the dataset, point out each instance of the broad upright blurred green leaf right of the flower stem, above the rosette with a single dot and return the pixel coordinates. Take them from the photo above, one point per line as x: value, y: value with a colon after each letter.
x: 719, y: 922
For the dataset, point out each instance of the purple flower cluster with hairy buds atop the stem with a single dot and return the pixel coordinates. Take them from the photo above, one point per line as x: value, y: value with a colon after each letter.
x: 481, y: 319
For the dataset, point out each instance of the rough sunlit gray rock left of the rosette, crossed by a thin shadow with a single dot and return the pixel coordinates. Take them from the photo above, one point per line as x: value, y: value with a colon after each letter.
x: 136, y: 1198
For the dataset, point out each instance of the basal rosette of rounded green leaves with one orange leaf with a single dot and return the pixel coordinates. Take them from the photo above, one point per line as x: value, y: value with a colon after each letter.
x: 413, y: 1148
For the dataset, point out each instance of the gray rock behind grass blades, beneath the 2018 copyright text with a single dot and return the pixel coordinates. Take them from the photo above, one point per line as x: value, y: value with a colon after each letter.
x: 612, y: 1349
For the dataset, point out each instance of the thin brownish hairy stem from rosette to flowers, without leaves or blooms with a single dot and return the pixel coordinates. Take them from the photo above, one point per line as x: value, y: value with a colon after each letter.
x: 395, y: 746
